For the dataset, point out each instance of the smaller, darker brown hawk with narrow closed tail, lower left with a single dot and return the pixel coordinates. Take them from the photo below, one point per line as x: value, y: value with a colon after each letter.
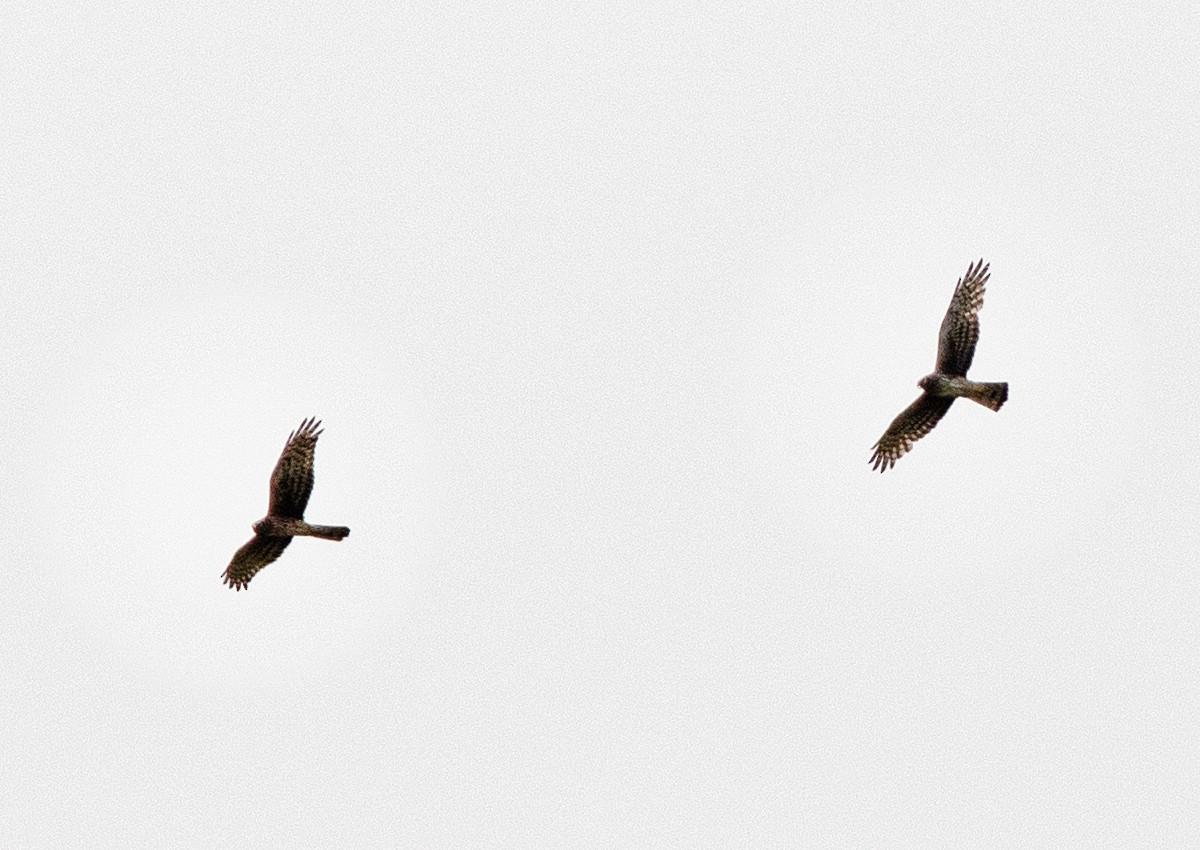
x: 291, y: 488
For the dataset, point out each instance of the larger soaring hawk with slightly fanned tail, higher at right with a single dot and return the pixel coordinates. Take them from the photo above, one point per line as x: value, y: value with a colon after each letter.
x: 949, y: 381
